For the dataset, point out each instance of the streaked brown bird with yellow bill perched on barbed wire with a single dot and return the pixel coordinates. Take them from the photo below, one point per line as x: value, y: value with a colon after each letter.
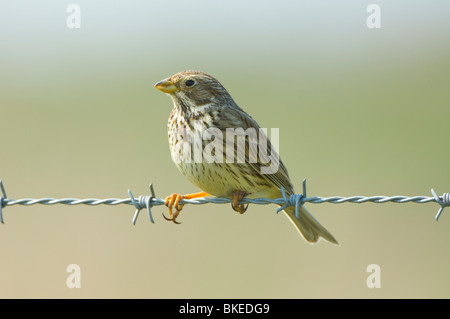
x: 201, y: 104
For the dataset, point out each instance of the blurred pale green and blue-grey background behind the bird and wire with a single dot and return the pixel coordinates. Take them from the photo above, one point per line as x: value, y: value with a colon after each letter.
x: 361, y: 112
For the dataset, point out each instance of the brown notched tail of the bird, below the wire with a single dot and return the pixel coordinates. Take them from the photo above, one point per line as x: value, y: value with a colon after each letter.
x: 308, y: 226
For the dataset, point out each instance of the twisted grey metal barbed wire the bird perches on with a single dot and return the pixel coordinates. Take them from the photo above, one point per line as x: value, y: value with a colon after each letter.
x: 296, y: 200
